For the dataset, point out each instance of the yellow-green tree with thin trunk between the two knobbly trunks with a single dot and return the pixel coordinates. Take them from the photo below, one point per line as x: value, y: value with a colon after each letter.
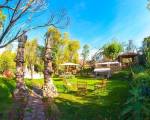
x: 30, y: 54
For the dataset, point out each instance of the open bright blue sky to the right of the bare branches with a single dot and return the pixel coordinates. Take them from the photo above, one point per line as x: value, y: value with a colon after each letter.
x: 97, y: 22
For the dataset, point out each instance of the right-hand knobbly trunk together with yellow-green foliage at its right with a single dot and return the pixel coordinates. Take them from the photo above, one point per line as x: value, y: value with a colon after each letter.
x: 55, y: 48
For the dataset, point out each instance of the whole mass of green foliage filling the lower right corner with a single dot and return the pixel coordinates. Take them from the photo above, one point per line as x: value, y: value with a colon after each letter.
x: 137, y: 105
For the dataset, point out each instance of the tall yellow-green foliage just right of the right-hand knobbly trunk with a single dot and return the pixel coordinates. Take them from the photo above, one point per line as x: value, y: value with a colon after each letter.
x: 64, y: 49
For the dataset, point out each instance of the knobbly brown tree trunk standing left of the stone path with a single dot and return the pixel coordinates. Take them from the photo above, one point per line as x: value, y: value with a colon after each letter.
x: 21, y: 89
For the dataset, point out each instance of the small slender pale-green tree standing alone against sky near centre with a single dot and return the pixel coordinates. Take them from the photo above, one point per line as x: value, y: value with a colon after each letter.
x: 85, y: 53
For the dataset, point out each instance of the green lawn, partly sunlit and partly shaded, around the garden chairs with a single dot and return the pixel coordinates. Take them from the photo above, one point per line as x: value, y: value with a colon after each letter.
x: 94, y: 106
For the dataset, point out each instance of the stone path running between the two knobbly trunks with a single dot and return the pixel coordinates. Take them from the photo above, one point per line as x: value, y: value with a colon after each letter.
x: 35, y: 108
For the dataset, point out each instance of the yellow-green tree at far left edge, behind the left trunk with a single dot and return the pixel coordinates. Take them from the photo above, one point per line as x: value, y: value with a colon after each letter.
x: 7, y: 60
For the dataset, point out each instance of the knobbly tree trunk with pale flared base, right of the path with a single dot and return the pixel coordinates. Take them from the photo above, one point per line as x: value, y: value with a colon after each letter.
x: 49, y: 90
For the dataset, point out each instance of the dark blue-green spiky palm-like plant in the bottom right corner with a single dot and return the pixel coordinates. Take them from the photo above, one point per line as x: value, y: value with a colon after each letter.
x: 136, y: 108
